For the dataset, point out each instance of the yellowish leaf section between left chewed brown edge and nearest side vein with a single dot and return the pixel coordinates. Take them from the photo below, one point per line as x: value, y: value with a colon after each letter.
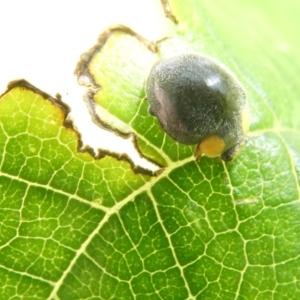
x: 37, y: 148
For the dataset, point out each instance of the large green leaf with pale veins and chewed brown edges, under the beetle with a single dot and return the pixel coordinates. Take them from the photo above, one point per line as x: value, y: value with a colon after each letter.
x: 76, y: 227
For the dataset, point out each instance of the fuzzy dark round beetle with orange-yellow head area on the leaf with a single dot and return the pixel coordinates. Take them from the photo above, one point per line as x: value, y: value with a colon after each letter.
x: 197, y: 100
